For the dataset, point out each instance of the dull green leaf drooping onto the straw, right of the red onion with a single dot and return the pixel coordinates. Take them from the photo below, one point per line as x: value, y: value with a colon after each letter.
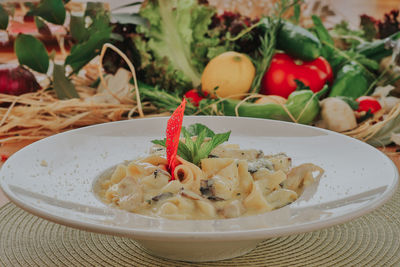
x: 62, y: 86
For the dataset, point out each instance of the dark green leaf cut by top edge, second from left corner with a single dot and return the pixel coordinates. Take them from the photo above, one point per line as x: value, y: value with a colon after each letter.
x: 51, y: 10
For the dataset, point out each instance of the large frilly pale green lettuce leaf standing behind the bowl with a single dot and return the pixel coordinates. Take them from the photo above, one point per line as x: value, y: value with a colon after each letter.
x: 174, y: 44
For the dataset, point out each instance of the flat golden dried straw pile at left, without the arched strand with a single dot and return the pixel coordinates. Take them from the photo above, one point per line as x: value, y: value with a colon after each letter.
x: 37, y: 115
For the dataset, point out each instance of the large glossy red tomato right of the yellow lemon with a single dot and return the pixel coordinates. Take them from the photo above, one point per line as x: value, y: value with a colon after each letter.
x: 284, y: 70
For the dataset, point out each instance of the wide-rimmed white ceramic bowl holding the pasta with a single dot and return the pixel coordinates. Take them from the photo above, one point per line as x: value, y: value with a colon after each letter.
x: 53, y: 178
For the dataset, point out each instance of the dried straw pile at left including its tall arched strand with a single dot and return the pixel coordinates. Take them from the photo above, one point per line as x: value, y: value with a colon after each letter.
x: 36, y: 115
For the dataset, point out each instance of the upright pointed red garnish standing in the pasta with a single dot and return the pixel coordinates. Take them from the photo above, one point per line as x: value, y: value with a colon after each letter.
x: 174, y: 127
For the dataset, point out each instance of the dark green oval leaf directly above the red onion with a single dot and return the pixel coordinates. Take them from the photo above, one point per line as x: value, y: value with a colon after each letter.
x: 32, y: 53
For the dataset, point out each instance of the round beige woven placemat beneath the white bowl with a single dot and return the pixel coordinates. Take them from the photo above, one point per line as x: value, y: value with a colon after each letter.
x: 372, y: 240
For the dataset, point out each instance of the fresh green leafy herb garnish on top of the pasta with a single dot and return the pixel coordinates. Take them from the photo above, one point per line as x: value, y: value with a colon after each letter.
x: 197, y: 148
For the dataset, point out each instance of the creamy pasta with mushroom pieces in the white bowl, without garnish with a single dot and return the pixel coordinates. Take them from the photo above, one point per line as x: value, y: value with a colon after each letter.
x: 231, y: 182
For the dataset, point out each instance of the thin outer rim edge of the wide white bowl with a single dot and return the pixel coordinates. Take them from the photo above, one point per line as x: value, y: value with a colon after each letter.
x: 256, y: 234
